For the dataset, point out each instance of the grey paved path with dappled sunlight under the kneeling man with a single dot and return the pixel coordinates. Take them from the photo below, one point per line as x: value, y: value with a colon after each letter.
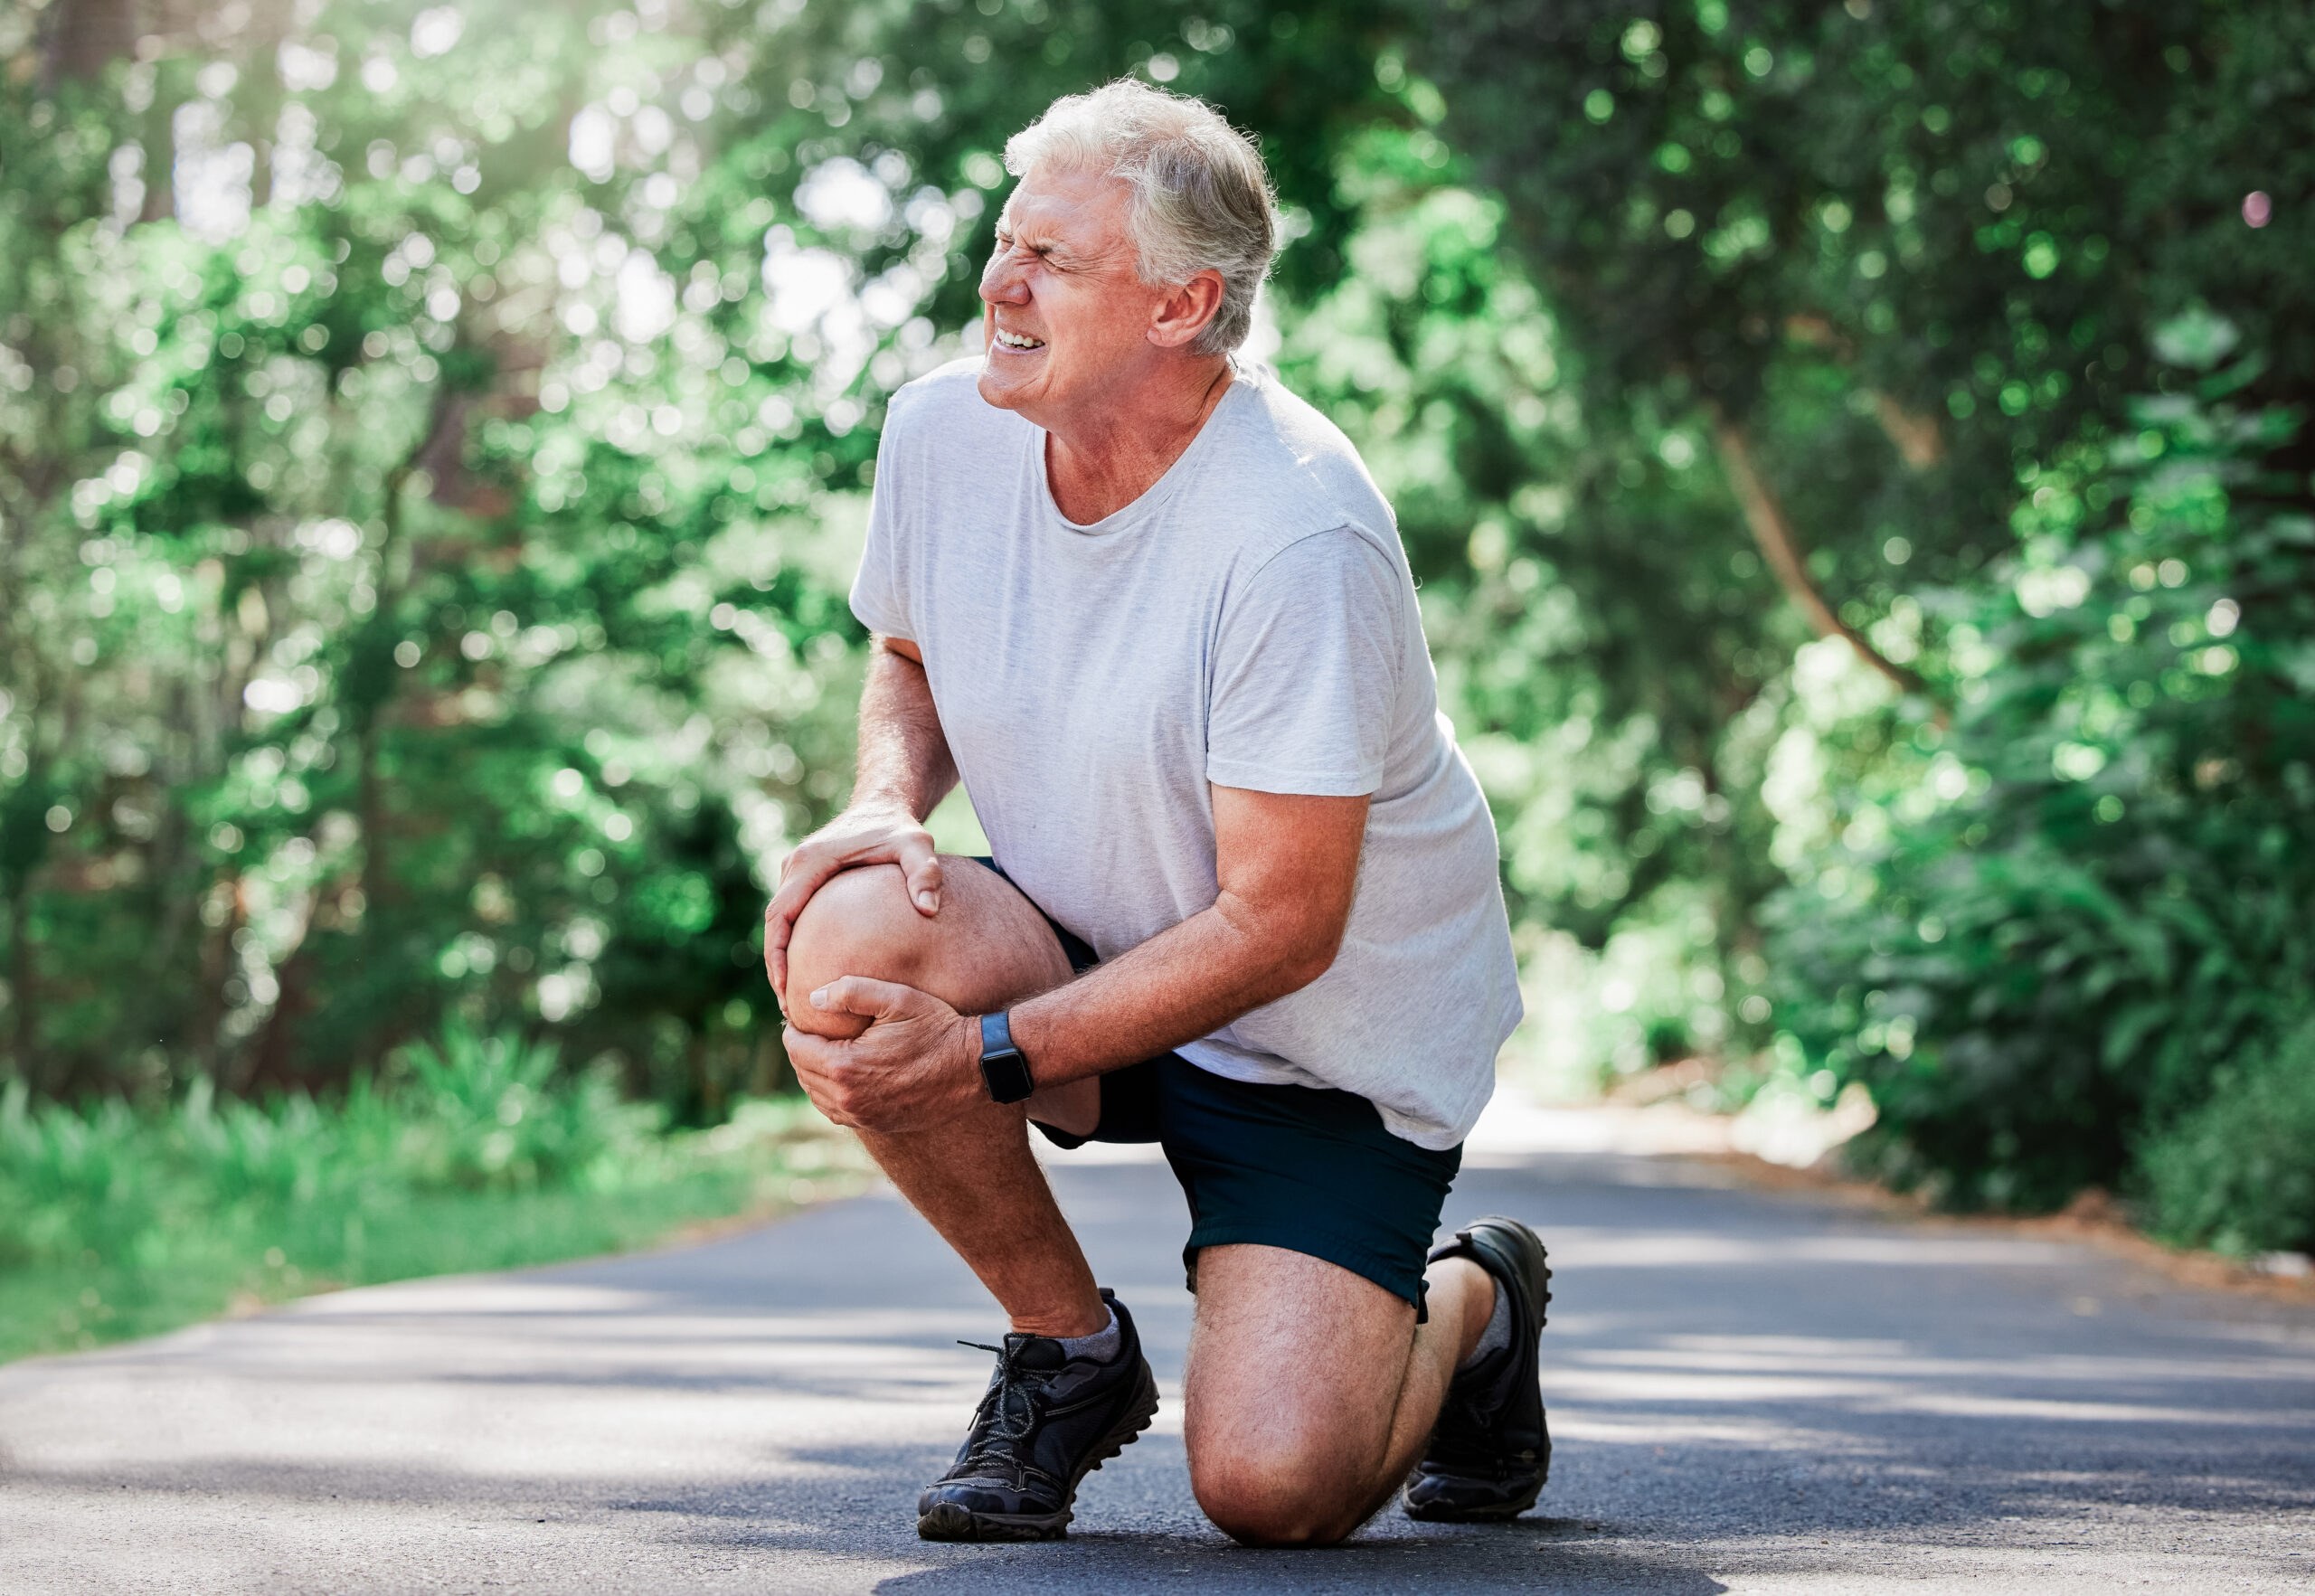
x: 1751, y: 1393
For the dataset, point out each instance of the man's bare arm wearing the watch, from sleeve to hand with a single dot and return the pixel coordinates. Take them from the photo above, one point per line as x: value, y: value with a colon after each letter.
x: 1288, y: 870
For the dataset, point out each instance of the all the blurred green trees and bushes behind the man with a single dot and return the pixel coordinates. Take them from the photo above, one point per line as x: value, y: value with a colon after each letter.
x: 434, y: 446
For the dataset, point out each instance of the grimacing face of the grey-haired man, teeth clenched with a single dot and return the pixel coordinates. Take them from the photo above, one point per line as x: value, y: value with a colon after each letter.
x: 1068, y: 312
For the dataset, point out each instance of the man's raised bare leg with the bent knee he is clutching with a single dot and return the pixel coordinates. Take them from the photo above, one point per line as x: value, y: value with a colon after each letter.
x: 973, y: 1180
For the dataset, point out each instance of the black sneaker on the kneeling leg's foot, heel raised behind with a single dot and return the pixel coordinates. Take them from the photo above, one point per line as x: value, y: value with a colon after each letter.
x: 1492, y: 1451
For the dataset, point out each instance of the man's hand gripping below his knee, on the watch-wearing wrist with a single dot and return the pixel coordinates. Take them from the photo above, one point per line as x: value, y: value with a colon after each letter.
x: 913, y: 1069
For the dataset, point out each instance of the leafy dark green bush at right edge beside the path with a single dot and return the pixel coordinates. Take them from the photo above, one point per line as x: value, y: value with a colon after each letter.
x: 2055, y: 925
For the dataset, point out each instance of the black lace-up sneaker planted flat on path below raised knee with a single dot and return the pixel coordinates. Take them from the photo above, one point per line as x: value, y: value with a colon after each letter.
x: 1045, y: 1426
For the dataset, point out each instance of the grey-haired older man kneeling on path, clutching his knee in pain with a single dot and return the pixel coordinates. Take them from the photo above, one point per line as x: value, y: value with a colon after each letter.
x: 1244, y: 898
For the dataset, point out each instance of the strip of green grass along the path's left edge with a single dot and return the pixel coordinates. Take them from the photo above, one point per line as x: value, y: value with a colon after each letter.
x: 122, y: 1224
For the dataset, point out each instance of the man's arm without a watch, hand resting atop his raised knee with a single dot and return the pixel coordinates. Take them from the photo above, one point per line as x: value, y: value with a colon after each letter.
x: 904, y: 773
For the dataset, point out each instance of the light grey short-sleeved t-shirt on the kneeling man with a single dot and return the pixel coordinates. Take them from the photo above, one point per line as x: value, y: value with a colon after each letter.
x: 1249, y: 622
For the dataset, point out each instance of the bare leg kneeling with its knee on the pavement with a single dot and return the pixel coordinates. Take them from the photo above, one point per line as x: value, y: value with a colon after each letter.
x: 1311, y: 1391
